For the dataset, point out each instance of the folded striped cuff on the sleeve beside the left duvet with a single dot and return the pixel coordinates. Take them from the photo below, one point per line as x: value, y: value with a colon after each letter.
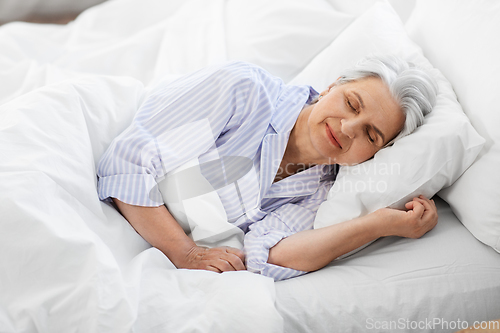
x: 138, y: 189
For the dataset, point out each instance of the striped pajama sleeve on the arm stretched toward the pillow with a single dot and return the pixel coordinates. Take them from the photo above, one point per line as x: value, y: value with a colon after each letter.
x: 281, y: 223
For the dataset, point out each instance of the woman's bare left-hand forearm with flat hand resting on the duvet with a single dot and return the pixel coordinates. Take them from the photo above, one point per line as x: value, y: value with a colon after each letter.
x: 159, y: 228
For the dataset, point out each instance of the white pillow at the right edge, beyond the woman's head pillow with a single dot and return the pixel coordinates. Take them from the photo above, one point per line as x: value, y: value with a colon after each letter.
x: 461, y: 38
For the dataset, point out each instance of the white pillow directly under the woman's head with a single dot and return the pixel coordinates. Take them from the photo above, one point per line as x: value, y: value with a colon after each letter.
x: 434, y: 156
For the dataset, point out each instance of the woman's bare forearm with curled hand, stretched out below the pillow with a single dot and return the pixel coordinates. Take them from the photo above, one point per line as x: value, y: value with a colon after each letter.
x: 310, y: 250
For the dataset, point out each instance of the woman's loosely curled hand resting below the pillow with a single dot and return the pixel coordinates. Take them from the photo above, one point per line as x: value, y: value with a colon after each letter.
x: 420, y: 217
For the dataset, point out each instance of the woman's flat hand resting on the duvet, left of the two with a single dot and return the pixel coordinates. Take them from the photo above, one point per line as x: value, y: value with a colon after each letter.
x: 218, y: 259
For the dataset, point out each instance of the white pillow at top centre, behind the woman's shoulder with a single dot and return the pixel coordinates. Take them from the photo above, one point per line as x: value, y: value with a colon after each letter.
x: 282, y: 36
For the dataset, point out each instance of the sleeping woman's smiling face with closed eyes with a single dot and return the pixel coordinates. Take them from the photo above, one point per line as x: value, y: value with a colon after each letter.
x: 352, y: 121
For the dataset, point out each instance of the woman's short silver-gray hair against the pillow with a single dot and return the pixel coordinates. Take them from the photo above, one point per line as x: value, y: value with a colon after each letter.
x: 414, y: 89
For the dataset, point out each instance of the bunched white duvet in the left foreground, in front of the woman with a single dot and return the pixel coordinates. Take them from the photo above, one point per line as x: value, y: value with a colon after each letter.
x: 71, y: 262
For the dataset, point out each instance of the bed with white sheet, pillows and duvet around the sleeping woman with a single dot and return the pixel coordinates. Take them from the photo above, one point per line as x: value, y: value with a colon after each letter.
x: 71, y: 263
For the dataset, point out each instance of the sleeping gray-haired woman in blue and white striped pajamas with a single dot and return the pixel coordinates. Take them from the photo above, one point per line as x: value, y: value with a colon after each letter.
x: 294, y: 138
